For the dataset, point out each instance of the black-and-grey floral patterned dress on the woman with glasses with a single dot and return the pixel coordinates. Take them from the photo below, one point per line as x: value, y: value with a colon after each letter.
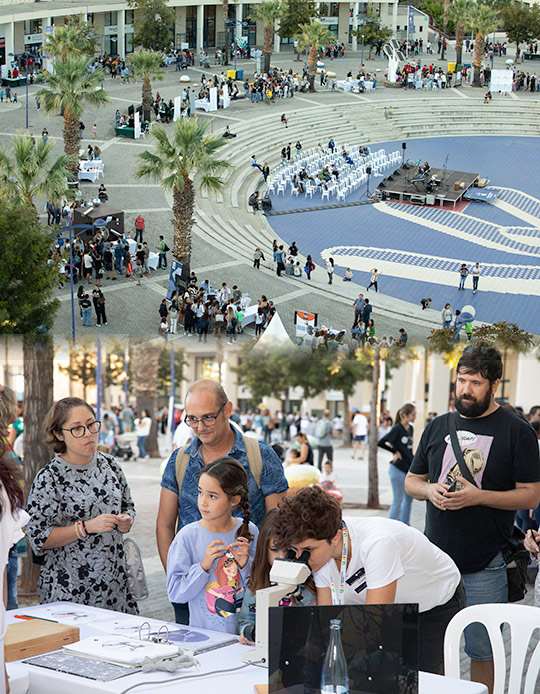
x: 92, y: 570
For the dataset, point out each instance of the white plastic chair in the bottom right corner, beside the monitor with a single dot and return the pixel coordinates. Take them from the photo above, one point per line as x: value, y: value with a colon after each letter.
x: 522, y: 620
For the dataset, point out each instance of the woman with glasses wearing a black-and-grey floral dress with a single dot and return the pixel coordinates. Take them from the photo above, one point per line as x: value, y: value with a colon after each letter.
x: 80, y: 506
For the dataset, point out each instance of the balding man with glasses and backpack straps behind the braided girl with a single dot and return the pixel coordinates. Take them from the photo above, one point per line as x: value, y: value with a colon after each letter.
x: 207, y: 412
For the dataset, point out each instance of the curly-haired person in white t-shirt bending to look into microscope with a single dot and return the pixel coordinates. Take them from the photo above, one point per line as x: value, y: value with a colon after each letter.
x: 373, y: 561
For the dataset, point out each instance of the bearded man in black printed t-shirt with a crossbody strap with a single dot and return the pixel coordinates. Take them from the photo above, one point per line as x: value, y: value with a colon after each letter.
x: 474, y: 523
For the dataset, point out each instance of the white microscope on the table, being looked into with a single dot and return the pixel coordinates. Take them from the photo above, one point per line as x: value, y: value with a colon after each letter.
x: 287, y: 574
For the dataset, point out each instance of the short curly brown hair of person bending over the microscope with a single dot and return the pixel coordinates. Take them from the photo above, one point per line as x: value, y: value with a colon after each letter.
x: 310, y: 514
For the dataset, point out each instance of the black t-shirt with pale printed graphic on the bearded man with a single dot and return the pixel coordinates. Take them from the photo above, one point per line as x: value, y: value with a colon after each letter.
x: 500, y: 450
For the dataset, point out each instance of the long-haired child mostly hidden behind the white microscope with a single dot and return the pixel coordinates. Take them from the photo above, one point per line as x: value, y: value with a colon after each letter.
x: 265, y: 554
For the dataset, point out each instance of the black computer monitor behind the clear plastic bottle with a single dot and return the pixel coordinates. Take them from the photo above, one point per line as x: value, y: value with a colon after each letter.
x: 380, y: 645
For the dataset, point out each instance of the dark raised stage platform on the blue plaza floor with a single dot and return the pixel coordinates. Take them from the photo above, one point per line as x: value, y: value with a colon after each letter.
x: 451, y: 189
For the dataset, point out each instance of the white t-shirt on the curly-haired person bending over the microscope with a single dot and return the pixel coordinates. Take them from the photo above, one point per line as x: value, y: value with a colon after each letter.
x: 389, y: 550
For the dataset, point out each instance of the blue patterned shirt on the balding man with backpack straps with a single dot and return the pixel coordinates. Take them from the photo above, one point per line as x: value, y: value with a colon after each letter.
x: 272, y: 479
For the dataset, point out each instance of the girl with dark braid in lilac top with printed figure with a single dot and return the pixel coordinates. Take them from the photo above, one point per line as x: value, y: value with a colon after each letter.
x: 209, y: 561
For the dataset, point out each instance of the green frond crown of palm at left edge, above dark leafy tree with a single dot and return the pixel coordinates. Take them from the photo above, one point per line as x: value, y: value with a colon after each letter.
x: 31, y: 172
